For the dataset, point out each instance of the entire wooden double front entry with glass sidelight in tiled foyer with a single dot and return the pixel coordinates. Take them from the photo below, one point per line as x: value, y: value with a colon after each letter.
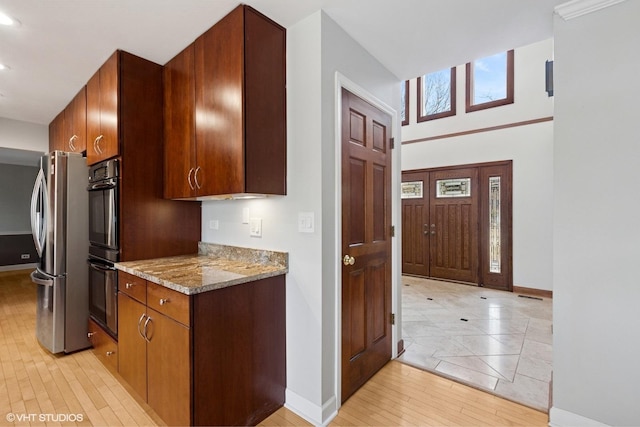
x: 456, y: 224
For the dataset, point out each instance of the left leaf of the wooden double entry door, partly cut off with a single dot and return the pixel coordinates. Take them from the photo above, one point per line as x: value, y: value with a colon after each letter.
x: 415, y: 223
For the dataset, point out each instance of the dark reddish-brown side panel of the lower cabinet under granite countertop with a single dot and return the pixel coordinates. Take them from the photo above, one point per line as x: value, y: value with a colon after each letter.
x: 239, y: 368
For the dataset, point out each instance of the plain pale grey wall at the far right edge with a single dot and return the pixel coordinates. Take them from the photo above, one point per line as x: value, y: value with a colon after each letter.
x: 596, y: 233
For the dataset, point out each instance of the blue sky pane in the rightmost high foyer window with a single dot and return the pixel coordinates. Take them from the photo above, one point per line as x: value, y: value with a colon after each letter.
x: 490, y: 78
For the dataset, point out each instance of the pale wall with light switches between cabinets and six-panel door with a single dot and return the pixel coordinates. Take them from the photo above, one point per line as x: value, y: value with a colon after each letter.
x: 316, y: 49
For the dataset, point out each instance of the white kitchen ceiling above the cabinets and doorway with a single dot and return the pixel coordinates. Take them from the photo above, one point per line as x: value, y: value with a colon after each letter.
x: 59, y: 44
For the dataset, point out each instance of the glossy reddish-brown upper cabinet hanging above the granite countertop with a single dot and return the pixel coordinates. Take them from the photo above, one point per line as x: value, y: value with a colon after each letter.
x: 225, y: 110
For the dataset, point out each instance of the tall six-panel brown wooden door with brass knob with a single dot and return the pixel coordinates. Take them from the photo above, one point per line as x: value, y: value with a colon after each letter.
x: 366, y: 241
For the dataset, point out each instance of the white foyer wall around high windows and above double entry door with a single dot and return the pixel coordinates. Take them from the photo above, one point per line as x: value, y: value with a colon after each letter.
x: 530, y: 147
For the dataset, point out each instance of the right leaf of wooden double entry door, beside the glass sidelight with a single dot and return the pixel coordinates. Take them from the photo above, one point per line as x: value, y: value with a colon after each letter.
x: 453, y: 225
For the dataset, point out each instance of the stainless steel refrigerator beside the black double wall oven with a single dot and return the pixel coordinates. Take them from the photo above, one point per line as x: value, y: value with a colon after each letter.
x: 59, y: 223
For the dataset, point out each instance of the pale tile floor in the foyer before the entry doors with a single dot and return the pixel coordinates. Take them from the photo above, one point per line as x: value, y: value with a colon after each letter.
x: 503, y: 345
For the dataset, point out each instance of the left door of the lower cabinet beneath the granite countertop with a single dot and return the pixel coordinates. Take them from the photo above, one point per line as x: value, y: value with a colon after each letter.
x: 132, y: 357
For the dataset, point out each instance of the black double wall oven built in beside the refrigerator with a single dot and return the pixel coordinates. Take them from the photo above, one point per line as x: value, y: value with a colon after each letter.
x: 104, y: 248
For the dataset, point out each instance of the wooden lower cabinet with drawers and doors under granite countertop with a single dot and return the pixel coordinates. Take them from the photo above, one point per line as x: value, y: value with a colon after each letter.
x: 227, y: 367
